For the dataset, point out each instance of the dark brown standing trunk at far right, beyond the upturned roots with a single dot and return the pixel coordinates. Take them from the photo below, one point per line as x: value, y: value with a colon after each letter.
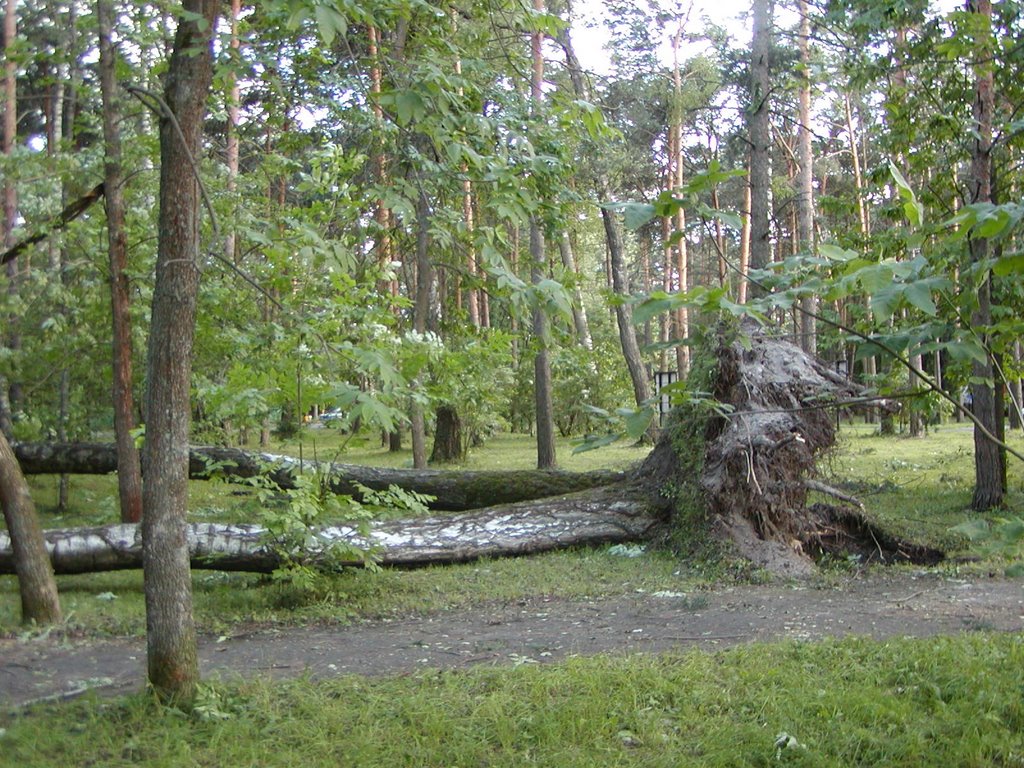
x: 989, y: 459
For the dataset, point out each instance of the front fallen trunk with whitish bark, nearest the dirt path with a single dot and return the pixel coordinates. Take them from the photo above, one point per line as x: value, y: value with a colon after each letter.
x: 600, y: 517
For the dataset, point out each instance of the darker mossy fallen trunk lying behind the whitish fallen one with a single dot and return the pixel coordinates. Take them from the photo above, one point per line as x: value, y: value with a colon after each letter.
x: 454, y: 491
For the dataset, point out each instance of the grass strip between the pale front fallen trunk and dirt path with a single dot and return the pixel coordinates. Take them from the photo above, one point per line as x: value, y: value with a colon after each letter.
x: 113, y: 604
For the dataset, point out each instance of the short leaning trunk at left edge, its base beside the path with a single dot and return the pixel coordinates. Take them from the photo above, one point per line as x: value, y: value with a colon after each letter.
x: 40, y: 604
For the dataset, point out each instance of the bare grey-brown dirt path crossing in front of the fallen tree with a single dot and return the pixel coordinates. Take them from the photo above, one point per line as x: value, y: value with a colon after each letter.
x: 539, y: 630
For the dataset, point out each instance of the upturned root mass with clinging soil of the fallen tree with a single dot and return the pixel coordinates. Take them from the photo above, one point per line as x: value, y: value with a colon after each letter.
x: 743, y: 461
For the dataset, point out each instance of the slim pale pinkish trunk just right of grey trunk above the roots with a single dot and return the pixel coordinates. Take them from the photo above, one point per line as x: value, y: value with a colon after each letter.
x: 805, y: 205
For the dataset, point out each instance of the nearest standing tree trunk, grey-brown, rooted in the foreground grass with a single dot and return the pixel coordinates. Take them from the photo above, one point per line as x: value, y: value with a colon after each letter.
x: 174, y: 664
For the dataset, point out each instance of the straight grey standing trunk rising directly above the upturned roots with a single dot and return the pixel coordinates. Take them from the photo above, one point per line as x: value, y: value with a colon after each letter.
x: 760, y: 136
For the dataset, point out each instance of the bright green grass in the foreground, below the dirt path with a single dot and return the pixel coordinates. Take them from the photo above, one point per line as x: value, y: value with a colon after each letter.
x: 851, y: 703
